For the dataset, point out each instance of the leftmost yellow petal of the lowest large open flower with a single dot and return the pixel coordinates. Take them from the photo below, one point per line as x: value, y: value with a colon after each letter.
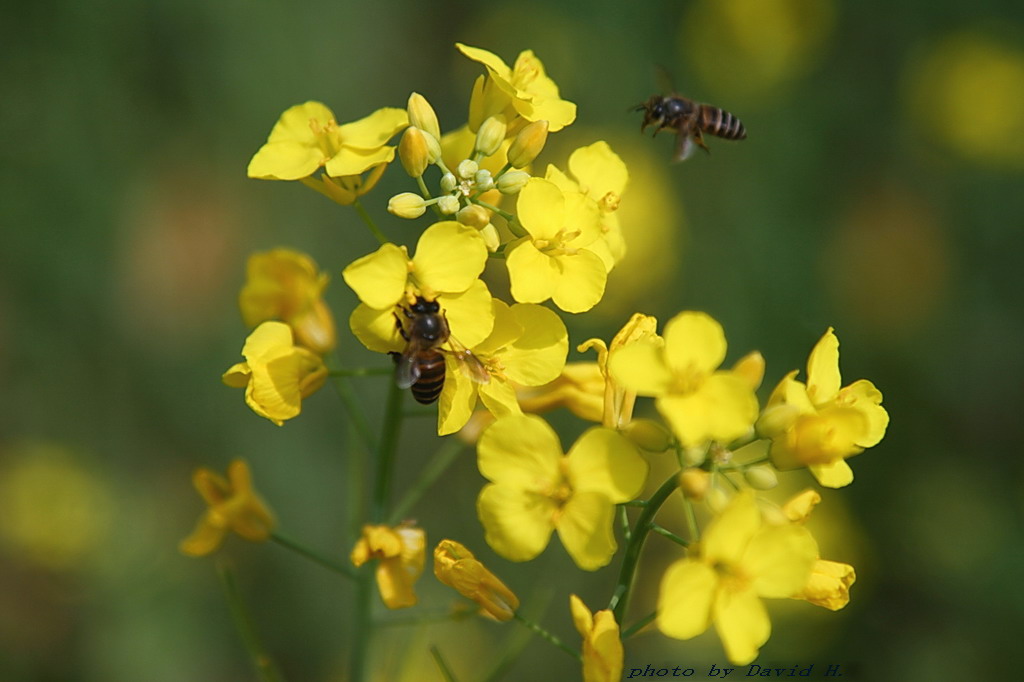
x: 686, y: 600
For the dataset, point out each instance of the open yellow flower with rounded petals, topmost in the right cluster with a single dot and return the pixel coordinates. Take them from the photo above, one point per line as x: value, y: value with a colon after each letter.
x: 700, y: 402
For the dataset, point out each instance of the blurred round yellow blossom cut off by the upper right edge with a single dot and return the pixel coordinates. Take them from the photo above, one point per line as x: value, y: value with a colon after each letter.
x: 967, y: 92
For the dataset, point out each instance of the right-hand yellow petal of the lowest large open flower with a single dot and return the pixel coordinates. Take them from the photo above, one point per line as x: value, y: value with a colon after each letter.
x: 780, y: 560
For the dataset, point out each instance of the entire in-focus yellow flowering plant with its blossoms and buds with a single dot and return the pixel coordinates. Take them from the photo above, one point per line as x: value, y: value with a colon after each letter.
x: 494, y: 363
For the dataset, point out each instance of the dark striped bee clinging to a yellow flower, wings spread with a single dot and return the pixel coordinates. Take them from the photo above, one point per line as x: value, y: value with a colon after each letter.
x: 421, y: 366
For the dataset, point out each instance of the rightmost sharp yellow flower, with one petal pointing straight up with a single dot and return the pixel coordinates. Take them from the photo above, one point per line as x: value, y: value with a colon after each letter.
x: 819, y: 425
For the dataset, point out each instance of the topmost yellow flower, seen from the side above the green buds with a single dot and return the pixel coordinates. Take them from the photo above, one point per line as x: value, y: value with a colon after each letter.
x: 525, y: 89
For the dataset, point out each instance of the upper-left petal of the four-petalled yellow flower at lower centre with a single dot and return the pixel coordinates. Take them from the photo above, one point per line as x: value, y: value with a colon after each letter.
x: 521, y: 452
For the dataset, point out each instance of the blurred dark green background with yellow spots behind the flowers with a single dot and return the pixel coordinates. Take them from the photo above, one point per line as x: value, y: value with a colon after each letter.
x: 880, y: 192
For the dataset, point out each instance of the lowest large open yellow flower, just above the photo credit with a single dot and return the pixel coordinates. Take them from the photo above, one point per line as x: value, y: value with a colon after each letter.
x: 740, y: 561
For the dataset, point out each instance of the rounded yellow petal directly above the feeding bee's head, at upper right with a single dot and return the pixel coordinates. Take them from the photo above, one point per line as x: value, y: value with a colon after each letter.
x: 450, y: 257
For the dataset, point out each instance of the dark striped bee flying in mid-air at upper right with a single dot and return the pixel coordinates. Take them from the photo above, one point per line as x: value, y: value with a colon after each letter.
x: 690, y: 120
